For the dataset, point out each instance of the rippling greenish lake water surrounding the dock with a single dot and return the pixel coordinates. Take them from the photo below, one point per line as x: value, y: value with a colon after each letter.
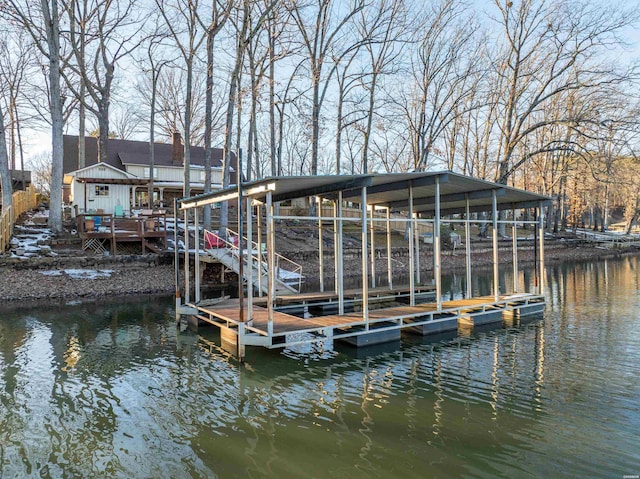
x: 116, y: 391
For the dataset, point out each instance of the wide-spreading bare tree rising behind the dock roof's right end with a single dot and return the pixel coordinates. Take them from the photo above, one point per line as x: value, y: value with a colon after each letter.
x: 551, y: 49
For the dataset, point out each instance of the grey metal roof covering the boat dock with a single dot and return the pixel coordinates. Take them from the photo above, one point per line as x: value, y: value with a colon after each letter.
x: 386, y: 190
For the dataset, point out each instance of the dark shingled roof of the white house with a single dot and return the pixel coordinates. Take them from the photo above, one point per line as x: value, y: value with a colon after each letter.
x: 124, y: 152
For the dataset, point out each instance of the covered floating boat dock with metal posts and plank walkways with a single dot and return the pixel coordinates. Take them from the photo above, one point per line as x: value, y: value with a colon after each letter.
x: 272, y: 312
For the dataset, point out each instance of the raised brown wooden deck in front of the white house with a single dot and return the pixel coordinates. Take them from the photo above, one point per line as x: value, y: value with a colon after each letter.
x: 115, y: 230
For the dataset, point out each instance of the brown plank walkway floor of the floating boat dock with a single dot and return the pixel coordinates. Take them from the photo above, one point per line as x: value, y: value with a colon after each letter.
x: 227, y: 314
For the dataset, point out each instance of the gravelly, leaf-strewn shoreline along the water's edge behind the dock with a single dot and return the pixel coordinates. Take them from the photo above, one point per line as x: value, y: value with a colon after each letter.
x: 25, y: 283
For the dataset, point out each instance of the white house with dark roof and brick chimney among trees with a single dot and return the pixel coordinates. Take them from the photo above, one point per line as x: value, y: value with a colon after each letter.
x: 123, y: 178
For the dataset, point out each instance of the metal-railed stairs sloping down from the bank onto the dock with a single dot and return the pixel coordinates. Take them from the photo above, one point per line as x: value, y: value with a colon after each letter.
x: 288, y: 277
